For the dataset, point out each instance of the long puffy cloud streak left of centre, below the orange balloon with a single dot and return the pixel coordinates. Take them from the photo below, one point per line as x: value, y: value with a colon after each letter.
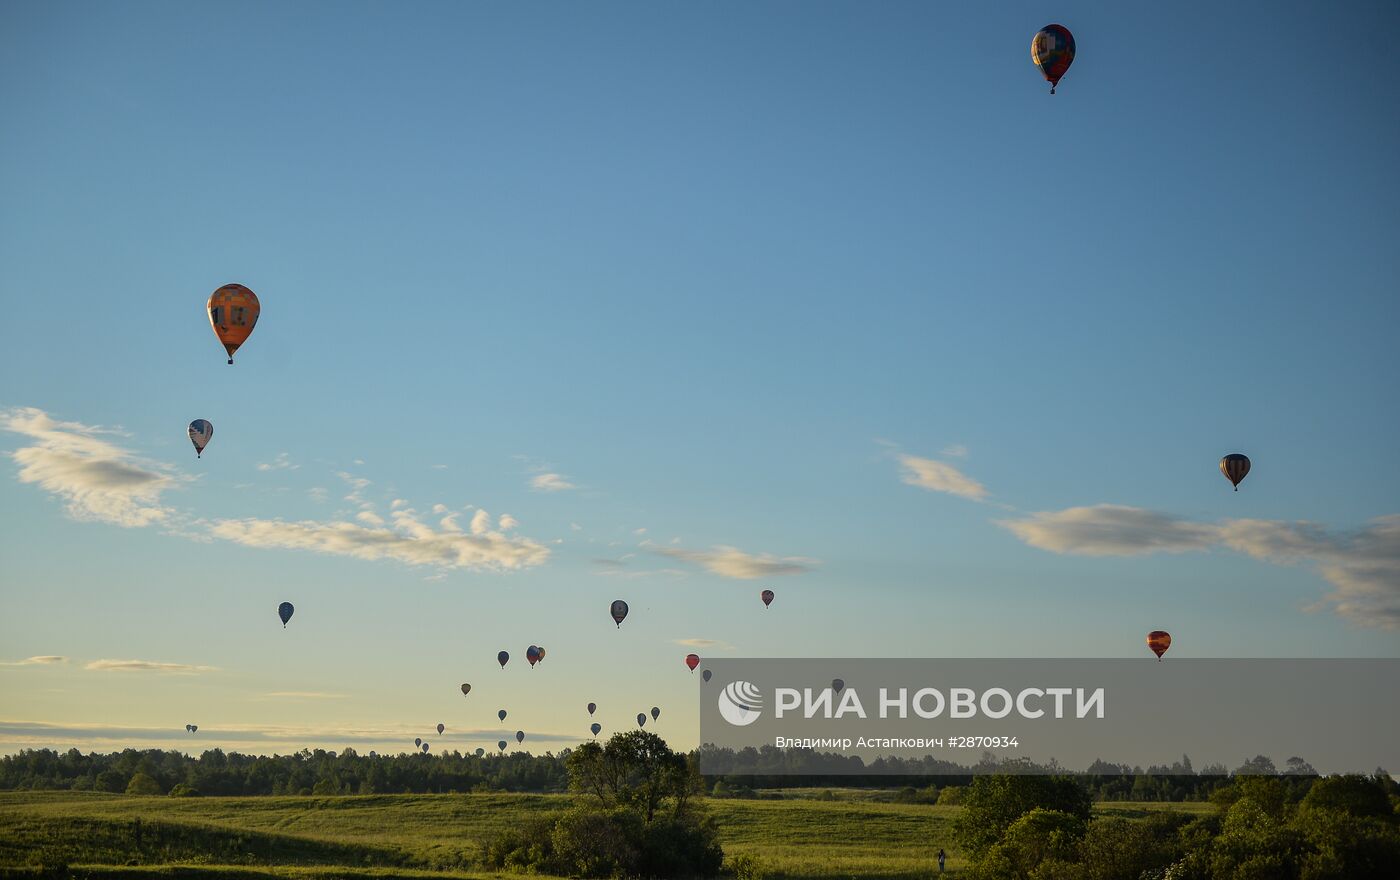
x: 408, y: 541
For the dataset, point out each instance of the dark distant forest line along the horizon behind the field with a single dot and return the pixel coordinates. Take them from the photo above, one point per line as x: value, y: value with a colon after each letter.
x: 748, y: 774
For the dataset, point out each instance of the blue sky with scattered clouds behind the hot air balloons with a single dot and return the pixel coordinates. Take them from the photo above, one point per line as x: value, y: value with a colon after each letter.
x: 827, y: 299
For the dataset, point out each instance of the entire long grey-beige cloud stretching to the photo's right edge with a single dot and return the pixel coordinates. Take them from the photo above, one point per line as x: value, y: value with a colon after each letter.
x: 1363, y: 567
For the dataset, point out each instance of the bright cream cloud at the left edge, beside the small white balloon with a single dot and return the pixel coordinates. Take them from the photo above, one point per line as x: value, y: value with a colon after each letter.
x: 99, y: 481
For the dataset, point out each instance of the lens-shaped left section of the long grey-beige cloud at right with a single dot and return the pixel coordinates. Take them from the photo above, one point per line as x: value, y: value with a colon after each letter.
x: 1109, y: 530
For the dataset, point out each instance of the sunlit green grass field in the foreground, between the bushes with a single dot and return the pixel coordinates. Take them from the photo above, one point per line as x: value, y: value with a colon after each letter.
x: 440, y: 836
